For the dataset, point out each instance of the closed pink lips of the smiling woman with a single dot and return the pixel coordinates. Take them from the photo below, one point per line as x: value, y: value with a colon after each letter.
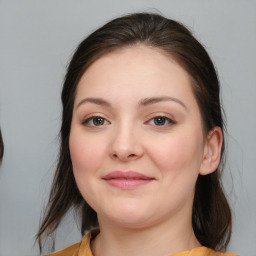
x: 127, y: 179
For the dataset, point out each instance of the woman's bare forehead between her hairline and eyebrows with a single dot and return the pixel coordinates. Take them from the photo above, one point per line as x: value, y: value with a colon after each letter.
x: 139, y: 70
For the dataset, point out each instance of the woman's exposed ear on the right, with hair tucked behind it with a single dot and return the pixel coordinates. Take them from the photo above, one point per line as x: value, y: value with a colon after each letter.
x: 212, y: 151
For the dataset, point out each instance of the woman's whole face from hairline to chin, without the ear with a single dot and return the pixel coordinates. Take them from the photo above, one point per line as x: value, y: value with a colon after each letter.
x: 136, y: 139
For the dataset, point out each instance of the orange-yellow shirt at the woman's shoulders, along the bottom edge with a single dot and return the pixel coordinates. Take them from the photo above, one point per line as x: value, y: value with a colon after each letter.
x: 83, y: 249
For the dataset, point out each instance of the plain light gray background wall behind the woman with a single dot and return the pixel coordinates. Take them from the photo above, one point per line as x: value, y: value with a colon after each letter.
x: 37, y: 39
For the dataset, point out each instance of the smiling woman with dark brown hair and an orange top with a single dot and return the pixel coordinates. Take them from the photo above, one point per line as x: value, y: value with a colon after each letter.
x: 141, y: 144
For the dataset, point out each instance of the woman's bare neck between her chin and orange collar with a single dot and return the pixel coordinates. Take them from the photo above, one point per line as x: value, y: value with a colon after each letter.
x: 158, y: 240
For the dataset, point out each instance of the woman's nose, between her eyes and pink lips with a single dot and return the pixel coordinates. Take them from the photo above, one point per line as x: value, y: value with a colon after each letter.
x: 126, y: 144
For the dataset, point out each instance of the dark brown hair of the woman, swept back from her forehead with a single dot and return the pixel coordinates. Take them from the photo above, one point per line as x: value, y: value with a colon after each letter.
x: 211, y: 213
